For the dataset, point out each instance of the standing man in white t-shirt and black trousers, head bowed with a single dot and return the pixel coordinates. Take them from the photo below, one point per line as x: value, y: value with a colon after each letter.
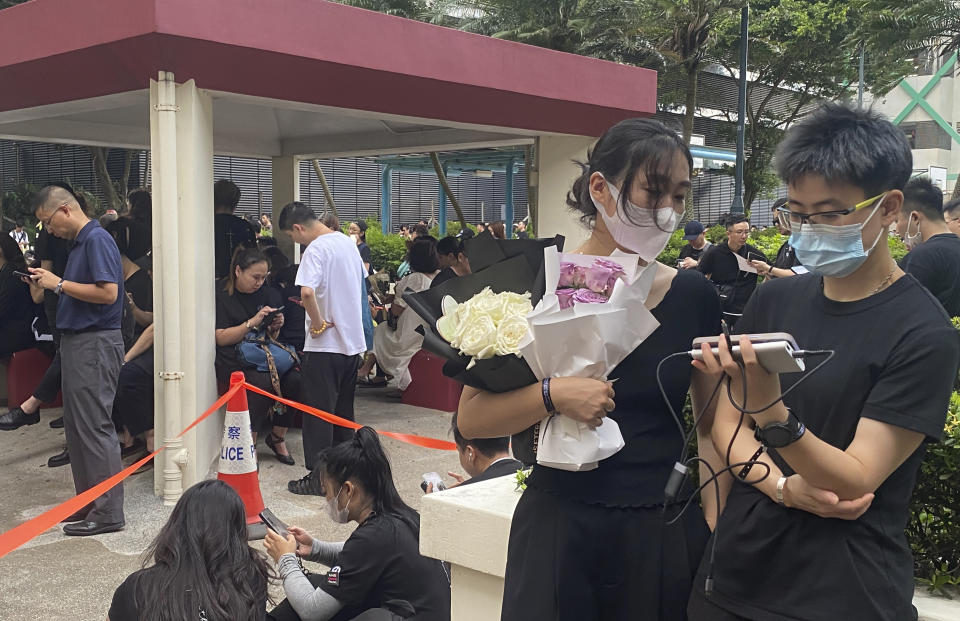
x: 330, y: 278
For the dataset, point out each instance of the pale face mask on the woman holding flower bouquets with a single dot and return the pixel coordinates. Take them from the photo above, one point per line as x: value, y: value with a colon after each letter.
x: 648, y: 236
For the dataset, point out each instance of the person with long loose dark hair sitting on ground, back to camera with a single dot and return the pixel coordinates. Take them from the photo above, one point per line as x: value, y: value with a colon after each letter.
x: 202, y: 566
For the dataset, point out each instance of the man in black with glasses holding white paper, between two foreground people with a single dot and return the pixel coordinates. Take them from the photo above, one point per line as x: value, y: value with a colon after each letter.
x: 721, y: 267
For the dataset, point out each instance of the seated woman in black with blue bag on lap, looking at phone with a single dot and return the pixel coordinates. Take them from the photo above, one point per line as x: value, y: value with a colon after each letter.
x: 243, y: 304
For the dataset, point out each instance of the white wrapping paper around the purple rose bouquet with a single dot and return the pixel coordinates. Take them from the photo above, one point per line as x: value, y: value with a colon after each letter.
x: 588, y: 340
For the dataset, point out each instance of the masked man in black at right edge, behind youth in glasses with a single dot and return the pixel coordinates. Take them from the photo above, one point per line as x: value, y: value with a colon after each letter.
x: 934, y: 257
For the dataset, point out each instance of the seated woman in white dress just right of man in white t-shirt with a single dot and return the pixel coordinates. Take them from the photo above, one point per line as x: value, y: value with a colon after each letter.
x: 393, y: 347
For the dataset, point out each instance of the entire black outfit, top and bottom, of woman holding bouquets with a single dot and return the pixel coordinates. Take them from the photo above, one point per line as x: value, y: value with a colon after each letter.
x: 594, y: 545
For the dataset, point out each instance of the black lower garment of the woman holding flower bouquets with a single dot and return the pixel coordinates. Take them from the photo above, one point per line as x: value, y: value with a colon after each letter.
x: 572, y: 561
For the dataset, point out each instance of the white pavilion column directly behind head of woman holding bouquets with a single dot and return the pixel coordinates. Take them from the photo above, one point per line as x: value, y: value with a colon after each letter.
x: 556, y: 174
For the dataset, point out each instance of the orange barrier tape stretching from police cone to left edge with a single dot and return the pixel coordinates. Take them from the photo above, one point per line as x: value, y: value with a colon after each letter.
x: 19, y: 535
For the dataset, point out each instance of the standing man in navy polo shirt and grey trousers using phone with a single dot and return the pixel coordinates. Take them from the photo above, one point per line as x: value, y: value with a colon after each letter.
x: 89, y: 309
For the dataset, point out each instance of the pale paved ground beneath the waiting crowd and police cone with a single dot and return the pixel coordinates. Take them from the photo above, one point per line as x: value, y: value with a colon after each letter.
x: 57, y: 577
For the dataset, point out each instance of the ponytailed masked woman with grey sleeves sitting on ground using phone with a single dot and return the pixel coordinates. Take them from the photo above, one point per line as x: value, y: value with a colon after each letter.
x: 378, y: 573
